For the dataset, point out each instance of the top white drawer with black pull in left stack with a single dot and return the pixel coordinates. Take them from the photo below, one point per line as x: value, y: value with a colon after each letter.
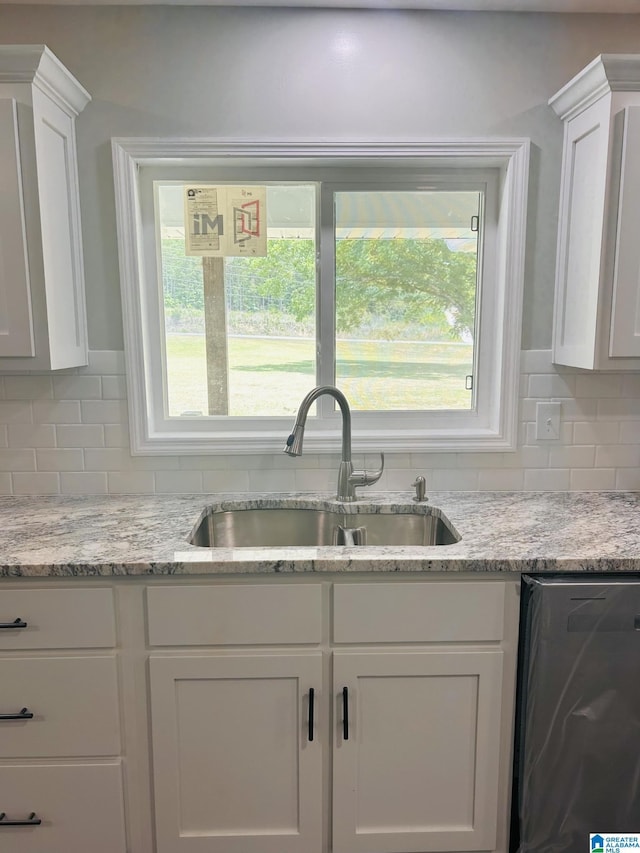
x: 57, y: 619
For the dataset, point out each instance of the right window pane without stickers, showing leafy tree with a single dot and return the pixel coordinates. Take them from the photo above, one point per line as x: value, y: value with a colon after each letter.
x: 406, y: 295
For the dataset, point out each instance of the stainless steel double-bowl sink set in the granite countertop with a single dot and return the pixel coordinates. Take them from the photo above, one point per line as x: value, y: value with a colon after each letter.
x: 287, y: 527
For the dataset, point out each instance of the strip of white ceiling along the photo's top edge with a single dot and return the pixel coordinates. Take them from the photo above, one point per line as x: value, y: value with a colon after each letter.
x: 572, y: 6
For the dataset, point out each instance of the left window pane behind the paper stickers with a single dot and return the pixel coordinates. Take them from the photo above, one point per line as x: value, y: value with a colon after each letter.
x: 239, y: 332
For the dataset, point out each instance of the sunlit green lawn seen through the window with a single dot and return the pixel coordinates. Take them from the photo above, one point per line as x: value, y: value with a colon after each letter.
x: 271, y: 376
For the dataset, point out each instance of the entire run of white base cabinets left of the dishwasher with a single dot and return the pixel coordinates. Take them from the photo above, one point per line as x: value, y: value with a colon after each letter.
x: 221, y: 715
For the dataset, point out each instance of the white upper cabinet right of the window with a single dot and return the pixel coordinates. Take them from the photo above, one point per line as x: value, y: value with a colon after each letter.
x: 597, y: 298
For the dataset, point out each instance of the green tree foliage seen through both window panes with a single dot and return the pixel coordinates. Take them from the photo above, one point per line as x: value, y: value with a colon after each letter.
x: 381, y: 285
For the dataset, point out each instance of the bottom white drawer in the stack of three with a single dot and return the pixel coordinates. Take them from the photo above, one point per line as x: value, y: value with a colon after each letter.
x: 80, y: 806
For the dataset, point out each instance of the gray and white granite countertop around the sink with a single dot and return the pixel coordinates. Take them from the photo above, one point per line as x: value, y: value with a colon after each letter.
x: 500, y: 532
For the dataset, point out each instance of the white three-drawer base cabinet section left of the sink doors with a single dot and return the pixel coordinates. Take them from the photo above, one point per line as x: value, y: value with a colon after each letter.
x: 61, y: 784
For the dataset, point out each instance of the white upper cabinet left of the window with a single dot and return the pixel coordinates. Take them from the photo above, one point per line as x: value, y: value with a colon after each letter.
x: 42, y: 307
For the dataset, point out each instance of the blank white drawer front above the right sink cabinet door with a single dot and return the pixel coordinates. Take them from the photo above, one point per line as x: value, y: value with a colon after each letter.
x: 418, y: 612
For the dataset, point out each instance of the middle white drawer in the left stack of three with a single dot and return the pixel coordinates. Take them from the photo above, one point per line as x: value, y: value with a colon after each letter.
x: 74, y: 702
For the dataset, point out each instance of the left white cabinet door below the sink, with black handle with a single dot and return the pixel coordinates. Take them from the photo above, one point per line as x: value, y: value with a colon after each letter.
x: 234, y: 768
